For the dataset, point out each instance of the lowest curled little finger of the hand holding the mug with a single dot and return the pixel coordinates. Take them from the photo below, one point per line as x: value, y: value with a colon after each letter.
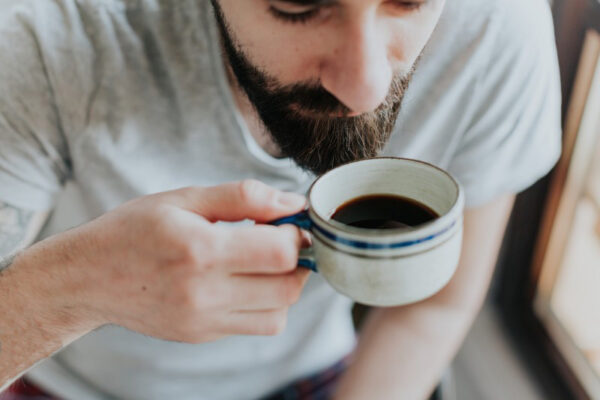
x: 264, y: 322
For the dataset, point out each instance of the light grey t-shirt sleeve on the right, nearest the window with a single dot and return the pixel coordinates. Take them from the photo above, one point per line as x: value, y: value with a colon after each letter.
x: 514, y: 137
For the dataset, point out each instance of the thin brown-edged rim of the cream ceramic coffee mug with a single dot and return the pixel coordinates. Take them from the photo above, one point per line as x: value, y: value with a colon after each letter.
x: 386, y: 233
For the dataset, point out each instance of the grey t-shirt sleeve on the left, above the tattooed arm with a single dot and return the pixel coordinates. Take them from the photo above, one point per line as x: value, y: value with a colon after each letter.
x: 33, y: 150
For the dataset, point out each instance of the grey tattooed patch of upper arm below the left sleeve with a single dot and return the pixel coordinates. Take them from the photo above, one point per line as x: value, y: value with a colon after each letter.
x: 15, y: 228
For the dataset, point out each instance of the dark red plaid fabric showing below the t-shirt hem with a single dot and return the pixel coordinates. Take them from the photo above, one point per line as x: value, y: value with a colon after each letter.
x: 319, y: 386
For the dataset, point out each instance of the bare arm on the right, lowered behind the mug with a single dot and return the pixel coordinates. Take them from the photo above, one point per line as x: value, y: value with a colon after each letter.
x: 403, y: 351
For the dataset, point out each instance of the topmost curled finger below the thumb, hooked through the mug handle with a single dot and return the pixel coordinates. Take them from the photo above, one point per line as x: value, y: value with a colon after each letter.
x: 259, y: 249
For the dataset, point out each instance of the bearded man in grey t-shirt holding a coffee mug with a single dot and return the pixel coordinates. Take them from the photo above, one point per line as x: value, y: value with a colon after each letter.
x: 130, y: 120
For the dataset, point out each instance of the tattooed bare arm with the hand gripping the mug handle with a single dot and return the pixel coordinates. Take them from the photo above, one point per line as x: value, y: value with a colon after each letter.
x: 152, y: 266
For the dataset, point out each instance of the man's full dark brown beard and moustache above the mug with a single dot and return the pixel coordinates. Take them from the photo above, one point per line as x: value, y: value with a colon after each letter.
x: 298, y: 117
